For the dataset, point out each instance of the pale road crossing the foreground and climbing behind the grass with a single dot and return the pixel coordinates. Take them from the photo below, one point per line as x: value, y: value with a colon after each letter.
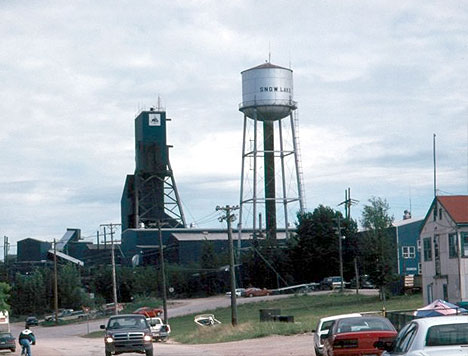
x: 68, y: 341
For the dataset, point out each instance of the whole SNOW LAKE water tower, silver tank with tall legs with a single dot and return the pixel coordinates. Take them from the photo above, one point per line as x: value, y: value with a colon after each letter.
x: 267, y: 98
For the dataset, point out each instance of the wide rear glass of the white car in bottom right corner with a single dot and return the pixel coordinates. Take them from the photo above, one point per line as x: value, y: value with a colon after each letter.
x: 451, y: 334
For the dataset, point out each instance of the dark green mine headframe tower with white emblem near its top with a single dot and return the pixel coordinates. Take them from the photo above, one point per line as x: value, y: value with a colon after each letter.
x: 150, y: 196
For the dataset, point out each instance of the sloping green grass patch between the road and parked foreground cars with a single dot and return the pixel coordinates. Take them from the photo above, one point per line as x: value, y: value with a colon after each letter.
x: 307, y: 310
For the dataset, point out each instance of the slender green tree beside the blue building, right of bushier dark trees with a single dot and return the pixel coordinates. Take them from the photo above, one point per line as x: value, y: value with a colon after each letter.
x: 377, y: 246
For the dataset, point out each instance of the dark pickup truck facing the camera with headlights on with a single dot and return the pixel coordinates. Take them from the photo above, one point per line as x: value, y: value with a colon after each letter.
x: 128, y: 333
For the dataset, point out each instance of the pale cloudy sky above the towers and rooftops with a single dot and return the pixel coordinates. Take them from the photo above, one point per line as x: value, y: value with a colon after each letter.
x: 374, y: 81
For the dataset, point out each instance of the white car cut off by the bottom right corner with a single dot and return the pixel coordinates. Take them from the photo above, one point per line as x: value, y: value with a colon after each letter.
x: 440, y: 335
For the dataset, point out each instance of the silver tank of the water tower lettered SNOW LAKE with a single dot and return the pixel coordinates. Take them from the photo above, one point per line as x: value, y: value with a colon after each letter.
x: 267, y: 91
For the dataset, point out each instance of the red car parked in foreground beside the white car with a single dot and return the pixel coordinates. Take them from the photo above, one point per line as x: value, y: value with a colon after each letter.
x: 356, y: 336
